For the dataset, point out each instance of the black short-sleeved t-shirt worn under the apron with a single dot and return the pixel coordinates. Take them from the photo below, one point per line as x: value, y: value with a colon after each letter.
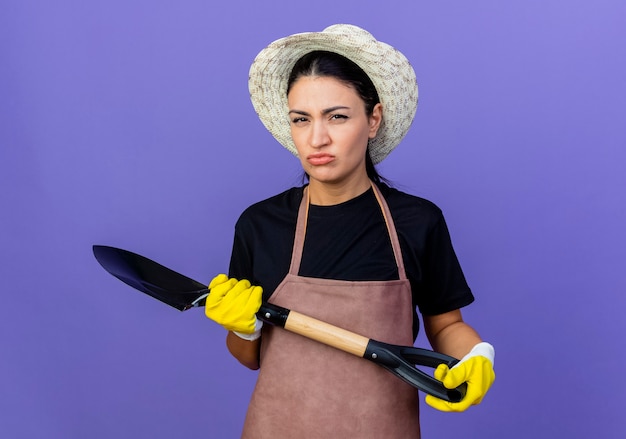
x: 349, y: 241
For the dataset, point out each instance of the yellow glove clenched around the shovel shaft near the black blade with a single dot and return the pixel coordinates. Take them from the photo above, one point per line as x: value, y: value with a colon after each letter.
x: 234, y: 304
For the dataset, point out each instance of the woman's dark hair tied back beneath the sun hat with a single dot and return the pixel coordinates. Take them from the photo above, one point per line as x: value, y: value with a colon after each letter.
x: 330, y: 64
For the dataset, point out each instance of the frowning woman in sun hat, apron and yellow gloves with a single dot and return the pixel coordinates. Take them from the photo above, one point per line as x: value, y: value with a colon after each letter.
x: 346, y: 249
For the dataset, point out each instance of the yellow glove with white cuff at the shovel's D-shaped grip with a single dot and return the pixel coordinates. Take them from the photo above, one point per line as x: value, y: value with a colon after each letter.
x: 476, y: 368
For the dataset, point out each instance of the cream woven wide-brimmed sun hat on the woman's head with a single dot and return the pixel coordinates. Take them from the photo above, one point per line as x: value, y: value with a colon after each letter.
x: 388, y: 69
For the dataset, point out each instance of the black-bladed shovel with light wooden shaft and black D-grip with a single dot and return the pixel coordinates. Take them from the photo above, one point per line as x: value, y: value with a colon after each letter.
x: 184, y: 293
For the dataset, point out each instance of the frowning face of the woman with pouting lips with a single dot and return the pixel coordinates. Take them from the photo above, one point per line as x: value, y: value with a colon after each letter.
x: 330, y: 129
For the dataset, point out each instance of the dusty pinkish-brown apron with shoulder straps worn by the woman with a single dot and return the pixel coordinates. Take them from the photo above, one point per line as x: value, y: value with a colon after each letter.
x: 309, y: 390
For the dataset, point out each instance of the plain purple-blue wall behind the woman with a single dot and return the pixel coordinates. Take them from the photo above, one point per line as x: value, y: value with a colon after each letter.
x: 128, y: 123
